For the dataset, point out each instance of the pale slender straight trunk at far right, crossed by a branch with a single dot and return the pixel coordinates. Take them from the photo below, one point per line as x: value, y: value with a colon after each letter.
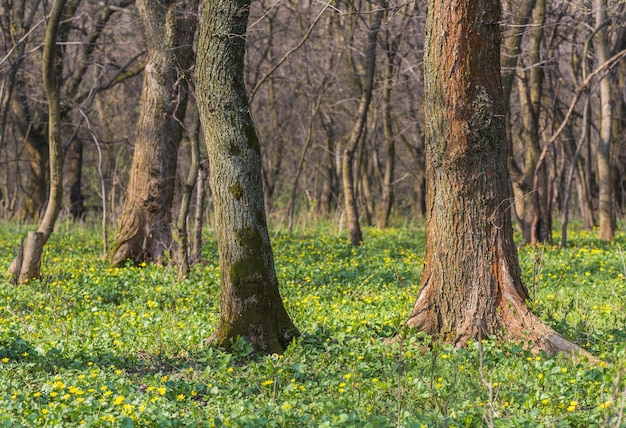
x: 603, y: 157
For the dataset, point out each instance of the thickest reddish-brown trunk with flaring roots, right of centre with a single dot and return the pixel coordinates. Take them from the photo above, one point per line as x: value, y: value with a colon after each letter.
x: 471, y: 285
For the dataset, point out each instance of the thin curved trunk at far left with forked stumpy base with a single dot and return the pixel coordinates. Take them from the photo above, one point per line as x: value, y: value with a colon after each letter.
x: 27, y: 265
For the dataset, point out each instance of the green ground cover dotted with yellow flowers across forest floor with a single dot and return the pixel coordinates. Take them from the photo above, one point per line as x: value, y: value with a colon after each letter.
x: 89, y: 345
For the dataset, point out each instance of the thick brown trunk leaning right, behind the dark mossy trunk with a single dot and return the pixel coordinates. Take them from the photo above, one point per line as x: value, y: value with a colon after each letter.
x: 144, y: 233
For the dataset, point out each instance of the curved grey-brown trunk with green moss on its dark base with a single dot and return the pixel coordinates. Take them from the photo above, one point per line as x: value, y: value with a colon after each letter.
x: 251, y: 306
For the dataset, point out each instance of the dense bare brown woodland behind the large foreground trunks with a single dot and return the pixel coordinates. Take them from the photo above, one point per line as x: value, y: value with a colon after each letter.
x: 305, y: 70
